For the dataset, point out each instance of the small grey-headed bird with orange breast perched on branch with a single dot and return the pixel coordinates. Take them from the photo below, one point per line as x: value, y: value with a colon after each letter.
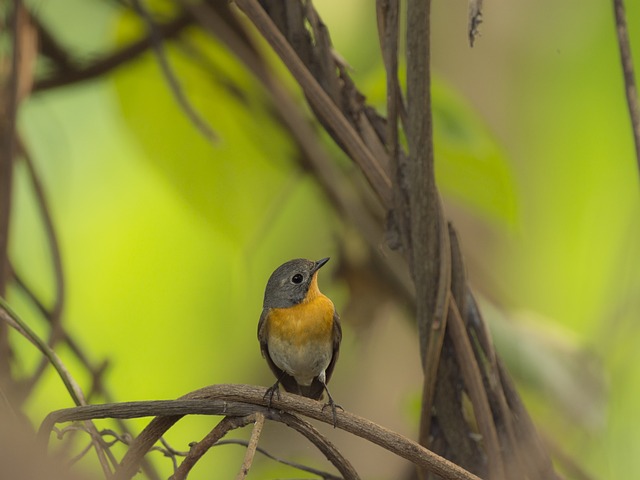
x: 299, y: 331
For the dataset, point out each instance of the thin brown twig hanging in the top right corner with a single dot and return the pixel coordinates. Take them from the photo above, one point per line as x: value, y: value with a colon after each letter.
x: 629, y: 77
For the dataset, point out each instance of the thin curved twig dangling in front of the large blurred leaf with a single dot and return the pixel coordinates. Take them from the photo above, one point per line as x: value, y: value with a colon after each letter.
x: 174, y: 84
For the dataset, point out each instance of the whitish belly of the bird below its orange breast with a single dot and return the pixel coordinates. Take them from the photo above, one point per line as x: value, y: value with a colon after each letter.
x: 303, y: 362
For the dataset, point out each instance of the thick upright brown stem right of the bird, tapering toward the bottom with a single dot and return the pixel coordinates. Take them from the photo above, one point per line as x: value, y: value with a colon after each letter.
x: 429, y: 253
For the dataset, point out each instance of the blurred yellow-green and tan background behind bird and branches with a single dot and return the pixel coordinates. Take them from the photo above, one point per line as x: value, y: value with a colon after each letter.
x: 168, y: 240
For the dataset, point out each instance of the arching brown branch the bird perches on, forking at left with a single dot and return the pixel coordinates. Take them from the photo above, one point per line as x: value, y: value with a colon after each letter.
x: 240, y: 400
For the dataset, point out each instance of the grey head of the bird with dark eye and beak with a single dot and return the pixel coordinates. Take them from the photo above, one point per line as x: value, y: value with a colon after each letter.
x: 290, y: 282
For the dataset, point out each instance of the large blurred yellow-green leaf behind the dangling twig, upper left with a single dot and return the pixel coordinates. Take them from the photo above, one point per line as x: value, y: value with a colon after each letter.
x: 223, y: 181
